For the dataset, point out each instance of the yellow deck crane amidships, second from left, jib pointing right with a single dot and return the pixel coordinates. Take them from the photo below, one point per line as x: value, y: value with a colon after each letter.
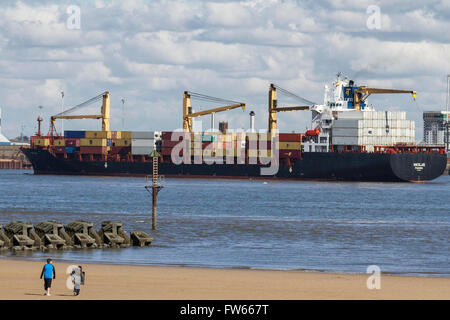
x: 187, y: 109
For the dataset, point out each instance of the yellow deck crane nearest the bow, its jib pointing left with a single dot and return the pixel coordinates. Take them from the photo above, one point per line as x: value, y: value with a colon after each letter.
x: 104, y: 113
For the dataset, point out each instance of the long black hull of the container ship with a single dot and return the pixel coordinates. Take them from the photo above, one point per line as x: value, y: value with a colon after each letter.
x: 409, y: 167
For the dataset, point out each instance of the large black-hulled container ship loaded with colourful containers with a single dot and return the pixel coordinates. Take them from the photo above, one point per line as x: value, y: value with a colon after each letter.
x: 348, y: 141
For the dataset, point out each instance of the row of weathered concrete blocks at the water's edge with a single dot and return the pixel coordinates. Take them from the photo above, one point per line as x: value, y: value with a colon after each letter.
x: 20, y: 236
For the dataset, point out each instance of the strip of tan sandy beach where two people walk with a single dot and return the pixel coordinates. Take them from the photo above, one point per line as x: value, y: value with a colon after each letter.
x: 19, y: 279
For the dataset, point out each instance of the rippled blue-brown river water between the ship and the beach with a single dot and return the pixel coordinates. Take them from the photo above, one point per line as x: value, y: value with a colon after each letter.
x: 304, y: 226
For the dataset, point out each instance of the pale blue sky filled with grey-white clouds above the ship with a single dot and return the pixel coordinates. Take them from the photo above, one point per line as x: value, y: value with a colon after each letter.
x: 149, y: 52
